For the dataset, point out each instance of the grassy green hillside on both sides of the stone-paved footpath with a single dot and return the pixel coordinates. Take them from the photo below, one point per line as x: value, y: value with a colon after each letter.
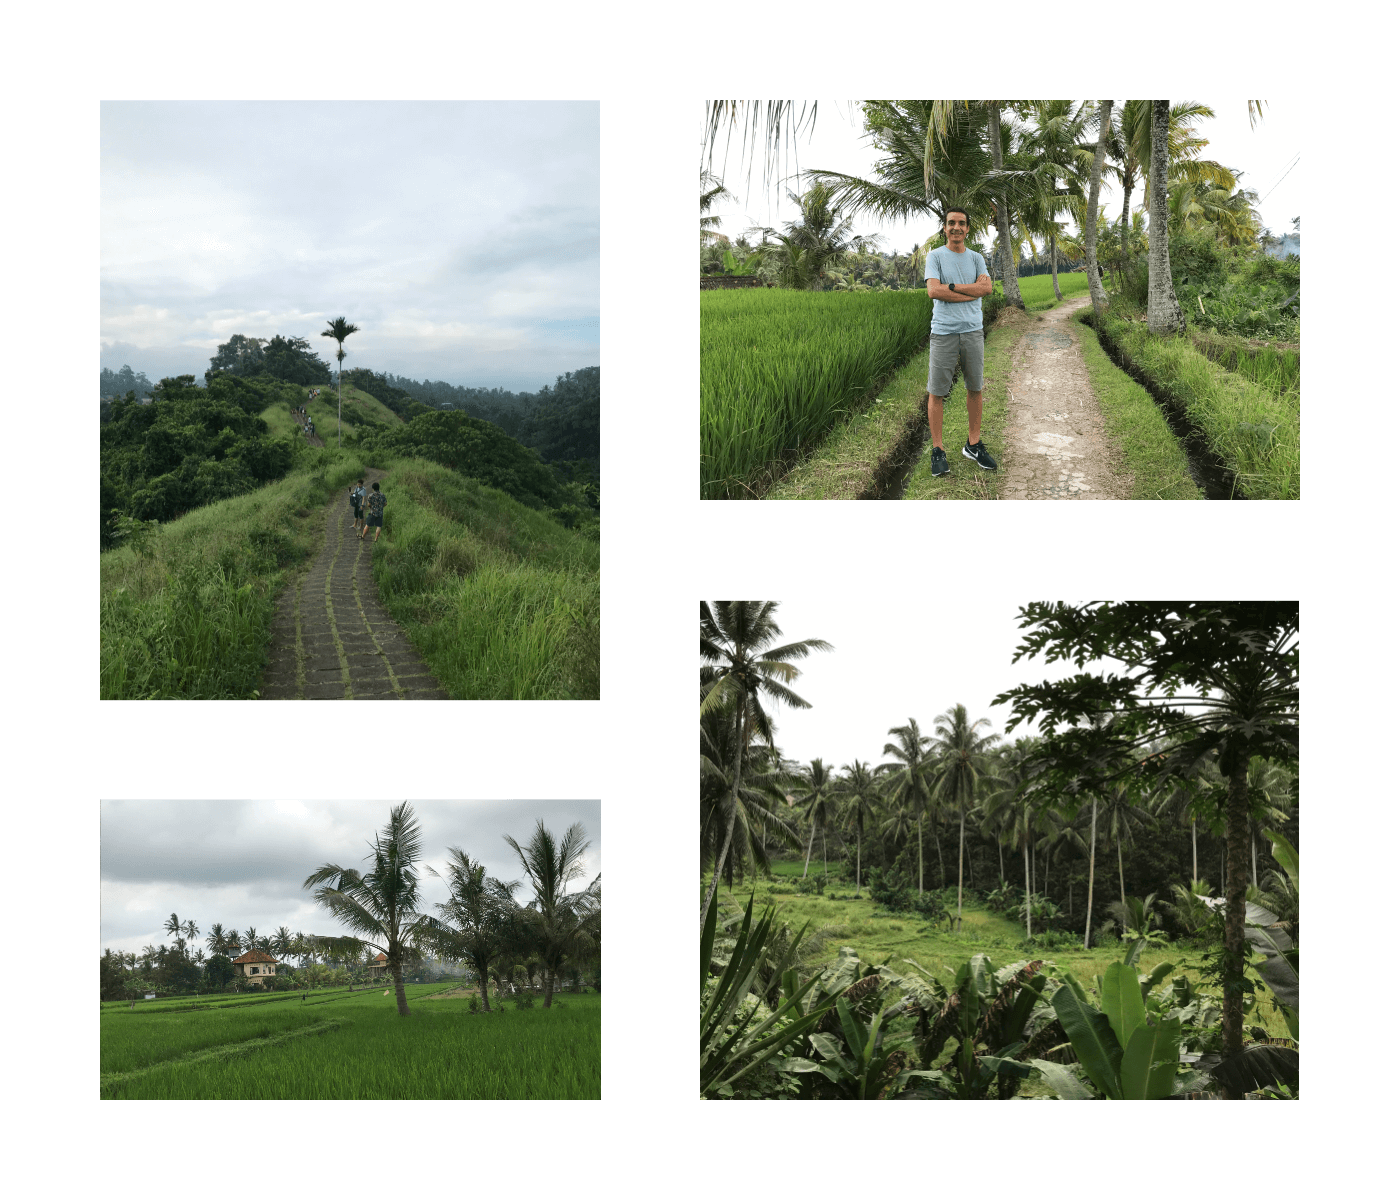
x: 500, y: 599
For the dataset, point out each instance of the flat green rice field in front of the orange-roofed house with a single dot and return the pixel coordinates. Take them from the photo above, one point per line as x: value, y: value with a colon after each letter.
x: 342, y: 1045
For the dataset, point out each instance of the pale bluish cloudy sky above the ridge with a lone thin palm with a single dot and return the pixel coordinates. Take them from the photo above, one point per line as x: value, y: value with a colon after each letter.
x: 462, y: 237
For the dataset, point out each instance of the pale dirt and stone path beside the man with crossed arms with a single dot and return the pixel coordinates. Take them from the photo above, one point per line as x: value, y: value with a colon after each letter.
x: 1056, y: 444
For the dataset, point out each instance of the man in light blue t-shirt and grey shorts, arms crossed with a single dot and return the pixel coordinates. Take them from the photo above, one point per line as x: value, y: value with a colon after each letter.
x: 957, y: 280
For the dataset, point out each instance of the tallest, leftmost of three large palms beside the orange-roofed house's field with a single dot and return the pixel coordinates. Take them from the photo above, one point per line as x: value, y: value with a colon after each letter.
x: 381, y: 904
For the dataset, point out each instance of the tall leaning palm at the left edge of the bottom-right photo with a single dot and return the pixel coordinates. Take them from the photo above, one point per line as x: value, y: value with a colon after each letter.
x: 735, y: 631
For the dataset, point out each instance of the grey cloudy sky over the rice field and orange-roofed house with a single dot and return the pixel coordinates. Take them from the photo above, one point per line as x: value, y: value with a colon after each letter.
x: 243, y: 864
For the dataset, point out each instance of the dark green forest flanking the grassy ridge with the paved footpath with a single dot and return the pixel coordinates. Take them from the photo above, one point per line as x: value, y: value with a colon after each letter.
x: 195, y: 445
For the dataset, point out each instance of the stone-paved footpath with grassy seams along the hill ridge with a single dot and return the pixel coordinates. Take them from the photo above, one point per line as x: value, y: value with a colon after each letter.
x: 332, y: 638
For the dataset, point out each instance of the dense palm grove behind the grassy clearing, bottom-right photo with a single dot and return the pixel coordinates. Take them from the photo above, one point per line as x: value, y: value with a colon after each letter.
x: 908, y: 815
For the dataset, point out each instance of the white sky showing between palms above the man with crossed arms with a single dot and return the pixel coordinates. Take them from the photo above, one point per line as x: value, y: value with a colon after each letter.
x: 761, y: 176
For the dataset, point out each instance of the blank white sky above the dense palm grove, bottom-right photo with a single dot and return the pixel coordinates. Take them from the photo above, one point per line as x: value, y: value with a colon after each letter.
x: 900, y: 659
